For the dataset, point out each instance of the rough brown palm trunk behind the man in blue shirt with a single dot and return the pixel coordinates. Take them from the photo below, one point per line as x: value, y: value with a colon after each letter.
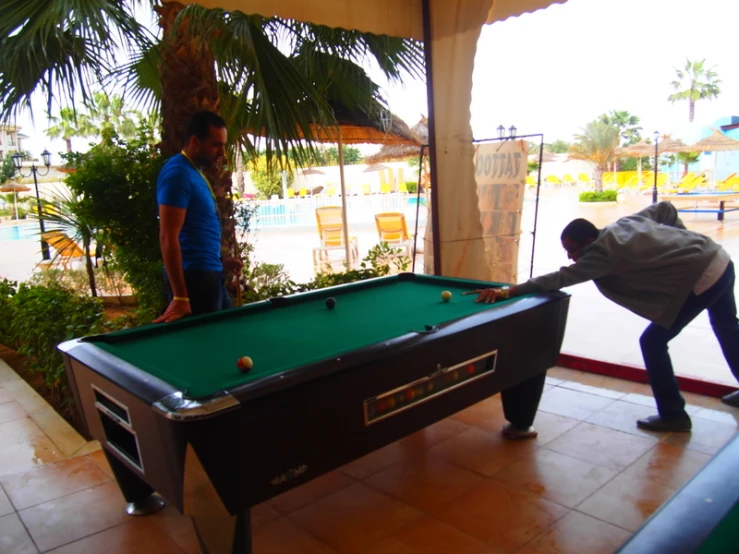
x: 189, y: 85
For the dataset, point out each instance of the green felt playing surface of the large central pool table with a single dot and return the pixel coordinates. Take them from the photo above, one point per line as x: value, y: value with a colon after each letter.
x: 200, y: 359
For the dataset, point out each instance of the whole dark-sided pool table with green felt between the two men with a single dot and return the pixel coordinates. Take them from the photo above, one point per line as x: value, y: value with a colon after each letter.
x: 176, y: 415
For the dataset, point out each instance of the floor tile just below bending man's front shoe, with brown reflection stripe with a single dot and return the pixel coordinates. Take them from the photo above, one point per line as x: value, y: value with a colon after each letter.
x: 668, y: 465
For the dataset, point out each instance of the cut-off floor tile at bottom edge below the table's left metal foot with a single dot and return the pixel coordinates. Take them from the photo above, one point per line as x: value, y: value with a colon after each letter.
x: 136, y: 536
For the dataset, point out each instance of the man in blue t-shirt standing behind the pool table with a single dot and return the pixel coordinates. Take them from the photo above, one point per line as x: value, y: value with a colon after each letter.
x: 190, y: 228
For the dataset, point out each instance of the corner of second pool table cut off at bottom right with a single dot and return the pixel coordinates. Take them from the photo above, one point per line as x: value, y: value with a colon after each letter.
x: 702, y: 517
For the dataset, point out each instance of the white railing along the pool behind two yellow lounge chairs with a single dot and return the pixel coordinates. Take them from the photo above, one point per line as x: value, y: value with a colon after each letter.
x: 297, y: 212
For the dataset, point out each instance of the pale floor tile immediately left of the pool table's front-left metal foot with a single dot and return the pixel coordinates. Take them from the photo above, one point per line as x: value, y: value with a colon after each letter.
x: 75, y: 516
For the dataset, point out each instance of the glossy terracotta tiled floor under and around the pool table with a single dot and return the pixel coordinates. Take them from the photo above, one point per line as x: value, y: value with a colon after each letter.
x: 588, y: 482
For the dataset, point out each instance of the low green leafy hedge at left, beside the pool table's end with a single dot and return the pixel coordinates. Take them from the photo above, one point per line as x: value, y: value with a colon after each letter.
x: 43, y: 317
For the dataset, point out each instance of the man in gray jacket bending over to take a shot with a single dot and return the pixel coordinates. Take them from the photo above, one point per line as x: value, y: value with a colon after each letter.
x: 652, y: 265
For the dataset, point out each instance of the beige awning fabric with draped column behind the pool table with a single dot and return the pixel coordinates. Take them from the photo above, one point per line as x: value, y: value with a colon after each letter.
x: 455, y: 28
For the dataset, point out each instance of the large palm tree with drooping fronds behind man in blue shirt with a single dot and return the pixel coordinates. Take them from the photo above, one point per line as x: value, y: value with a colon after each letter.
x: 230, y: 63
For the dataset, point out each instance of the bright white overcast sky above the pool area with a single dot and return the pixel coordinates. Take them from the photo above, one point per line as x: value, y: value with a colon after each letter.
x: 555, y: 70
